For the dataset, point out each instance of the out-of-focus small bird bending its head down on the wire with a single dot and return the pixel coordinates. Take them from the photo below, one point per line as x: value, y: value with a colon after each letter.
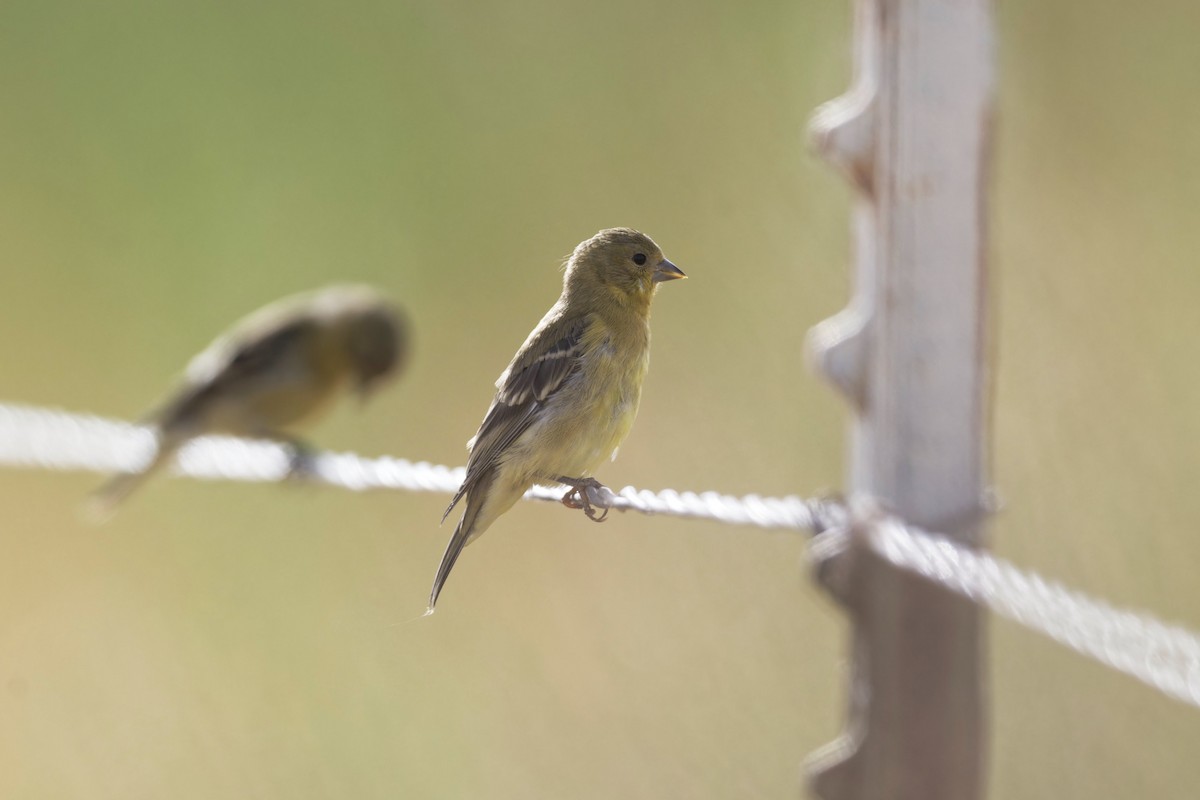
x: 278, y: 369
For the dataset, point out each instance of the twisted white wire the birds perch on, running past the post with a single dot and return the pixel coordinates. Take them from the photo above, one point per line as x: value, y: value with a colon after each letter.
x: 1165, y: 657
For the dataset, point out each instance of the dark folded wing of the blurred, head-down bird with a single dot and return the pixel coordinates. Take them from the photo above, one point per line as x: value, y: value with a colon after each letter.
x: 231, y: 363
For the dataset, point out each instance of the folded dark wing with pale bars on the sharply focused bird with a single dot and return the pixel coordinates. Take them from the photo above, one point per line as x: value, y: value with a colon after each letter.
x: 541, y: 369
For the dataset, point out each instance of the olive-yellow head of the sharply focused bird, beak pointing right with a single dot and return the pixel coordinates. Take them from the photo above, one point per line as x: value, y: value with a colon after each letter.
x: 625, y: 262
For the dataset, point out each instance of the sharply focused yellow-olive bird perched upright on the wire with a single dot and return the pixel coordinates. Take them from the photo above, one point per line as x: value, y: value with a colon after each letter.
x: 571, y: 394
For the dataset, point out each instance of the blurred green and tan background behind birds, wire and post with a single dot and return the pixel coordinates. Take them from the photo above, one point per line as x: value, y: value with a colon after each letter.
x: 166, y: 169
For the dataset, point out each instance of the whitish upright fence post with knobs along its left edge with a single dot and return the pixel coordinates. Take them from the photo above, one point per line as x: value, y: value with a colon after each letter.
x: 910, y: 353
